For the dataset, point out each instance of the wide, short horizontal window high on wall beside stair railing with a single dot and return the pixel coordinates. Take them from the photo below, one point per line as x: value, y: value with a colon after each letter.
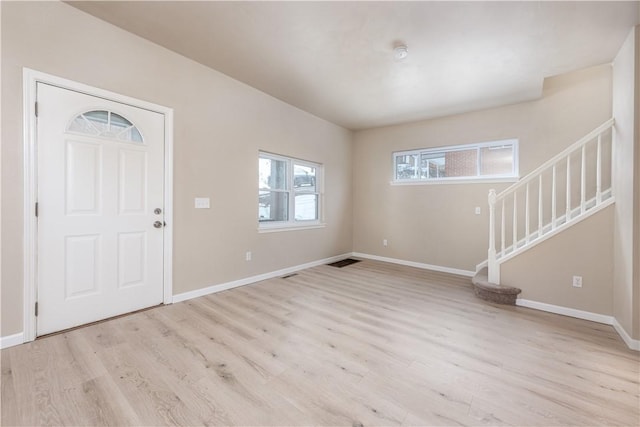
x: 496, y: 160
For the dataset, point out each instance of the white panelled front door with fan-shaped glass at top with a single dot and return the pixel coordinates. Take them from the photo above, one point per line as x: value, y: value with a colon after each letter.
x: 100, y: 208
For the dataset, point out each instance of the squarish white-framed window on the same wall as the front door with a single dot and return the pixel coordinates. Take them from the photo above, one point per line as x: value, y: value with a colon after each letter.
x: 288, y: 191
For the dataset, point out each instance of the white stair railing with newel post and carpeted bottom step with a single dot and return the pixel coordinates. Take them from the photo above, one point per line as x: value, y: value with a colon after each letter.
x: 563, y: 191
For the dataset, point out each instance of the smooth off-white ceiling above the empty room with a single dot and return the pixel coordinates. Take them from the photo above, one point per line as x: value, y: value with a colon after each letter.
x: 335, y: 59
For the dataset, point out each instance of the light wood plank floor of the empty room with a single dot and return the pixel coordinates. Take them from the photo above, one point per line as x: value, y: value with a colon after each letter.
x: 368, y: 344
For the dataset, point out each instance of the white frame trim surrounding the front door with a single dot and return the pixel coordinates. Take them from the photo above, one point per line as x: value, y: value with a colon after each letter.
x: 30, y: 255
